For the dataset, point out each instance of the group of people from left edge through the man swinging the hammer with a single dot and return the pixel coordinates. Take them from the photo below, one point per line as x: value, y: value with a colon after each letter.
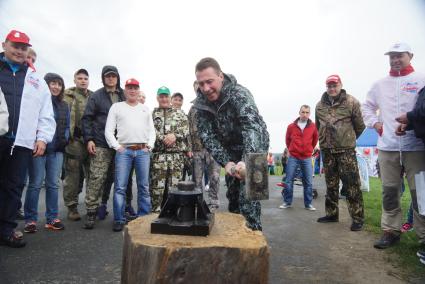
x: 102, y: 138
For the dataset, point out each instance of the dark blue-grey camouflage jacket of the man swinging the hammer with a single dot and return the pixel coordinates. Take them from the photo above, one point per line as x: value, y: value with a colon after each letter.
x: 232, y: 125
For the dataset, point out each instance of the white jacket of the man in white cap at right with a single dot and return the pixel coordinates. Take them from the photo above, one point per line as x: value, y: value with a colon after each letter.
x: 387, y: 99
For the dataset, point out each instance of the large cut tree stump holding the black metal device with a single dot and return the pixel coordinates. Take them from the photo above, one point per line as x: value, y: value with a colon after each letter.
x: 232, y: 253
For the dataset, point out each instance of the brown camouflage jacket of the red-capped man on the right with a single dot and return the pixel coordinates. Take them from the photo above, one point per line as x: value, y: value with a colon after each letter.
x: 339, y: 123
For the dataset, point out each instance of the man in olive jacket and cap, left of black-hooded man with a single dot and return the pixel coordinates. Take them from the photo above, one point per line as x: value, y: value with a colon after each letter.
x: 76, y: 155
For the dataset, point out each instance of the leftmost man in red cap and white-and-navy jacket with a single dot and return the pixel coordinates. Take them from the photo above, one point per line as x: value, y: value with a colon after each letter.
x: 31, y: 127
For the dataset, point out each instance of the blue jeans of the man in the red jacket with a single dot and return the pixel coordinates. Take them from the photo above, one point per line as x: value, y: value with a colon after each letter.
x: 307, y: 178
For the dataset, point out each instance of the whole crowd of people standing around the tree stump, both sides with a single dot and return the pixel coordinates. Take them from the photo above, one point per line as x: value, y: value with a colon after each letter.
x: 102, y: 138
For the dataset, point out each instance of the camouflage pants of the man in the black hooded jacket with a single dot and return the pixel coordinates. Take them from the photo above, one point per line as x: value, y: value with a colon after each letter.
x: 98, y: 174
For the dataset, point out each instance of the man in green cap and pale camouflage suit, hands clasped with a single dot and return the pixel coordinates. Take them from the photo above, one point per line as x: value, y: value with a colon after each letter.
x: 167, y: 162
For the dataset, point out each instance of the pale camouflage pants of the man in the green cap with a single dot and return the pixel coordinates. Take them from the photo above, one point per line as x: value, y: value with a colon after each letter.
x: 166, y: 171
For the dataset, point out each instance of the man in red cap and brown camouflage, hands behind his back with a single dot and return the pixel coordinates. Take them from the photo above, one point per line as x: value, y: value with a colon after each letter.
x: 339, y: 122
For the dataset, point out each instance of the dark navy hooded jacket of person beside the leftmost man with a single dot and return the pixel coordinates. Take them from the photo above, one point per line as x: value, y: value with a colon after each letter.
x: 62, y: 117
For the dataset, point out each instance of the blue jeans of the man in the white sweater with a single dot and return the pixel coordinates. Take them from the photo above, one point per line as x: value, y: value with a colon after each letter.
x: 123, y: 164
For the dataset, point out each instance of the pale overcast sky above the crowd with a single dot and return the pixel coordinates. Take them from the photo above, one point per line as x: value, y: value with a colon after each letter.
x: 281, y: 50
